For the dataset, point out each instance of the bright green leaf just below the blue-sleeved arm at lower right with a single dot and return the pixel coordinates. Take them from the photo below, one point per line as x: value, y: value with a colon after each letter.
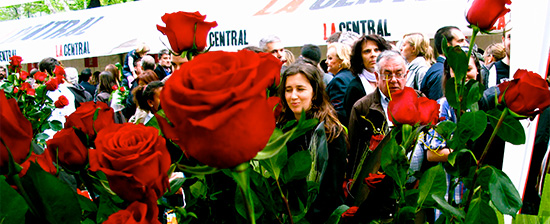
x: 433, y: 181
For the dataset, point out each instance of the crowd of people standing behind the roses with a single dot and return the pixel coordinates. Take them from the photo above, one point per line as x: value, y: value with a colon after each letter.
x: 349, y: 91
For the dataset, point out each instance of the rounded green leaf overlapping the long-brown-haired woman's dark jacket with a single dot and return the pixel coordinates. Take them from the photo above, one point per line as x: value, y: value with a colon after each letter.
x: 297, y: 167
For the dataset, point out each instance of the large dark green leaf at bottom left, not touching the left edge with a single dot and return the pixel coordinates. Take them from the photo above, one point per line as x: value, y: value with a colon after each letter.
x: 54, y: 199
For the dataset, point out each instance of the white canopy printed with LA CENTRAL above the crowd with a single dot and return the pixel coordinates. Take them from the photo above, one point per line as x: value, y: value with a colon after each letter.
x: 119, y: 28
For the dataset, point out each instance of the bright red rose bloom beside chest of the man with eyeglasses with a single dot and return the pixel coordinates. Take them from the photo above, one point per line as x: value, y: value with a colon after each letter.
x: 407, y: 108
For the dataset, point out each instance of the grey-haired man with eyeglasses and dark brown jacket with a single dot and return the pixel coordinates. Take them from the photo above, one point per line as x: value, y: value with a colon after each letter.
x: 369, y: 123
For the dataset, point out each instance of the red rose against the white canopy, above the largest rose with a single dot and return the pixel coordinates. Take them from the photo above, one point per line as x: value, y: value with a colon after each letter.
x: 182, y: 27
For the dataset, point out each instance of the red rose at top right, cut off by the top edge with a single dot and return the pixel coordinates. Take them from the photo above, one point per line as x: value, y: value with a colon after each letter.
x: 485, y: 13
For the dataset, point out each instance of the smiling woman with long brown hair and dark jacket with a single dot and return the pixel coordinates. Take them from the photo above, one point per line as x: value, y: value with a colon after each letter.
x: 302, y: 90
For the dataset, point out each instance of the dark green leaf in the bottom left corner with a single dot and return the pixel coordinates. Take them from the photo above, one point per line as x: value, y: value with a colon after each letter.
x: 12, y: 205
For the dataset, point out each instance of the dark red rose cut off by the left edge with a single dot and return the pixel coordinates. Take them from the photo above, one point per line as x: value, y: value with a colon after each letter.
x: 15, y: 131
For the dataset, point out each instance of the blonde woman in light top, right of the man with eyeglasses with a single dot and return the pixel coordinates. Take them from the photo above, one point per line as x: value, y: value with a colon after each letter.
x: 416, y: 49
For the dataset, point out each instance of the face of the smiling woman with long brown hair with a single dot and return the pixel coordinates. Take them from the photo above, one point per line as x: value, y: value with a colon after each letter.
x: 298, y: 94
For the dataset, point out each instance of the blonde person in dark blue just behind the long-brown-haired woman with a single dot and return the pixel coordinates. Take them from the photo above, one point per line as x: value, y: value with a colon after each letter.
x: 338, y: 63
